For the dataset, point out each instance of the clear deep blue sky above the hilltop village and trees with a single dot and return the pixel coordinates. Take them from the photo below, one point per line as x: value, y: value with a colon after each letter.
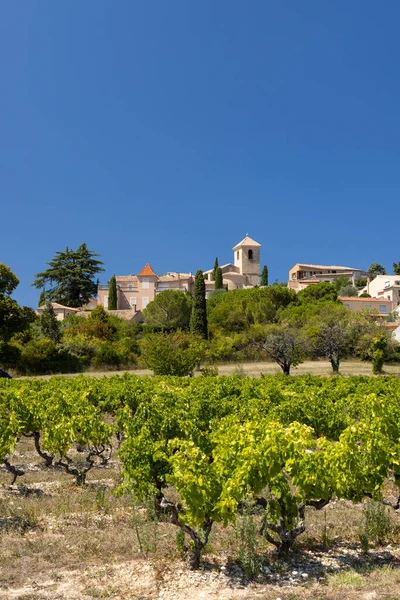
x: 163, y: 132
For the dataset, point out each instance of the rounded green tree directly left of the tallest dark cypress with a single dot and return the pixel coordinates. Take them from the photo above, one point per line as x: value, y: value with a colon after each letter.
x: 169, y: 309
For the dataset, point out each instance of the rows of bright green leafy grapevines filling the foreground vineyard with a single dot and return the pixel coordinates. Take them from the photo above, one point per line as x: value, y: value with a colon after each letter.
x: 202, y: 454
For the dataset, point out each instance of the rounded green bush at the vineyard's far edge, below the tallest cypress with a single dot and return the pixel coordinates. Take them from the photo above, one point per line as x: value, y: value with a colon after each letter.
x: 172, y: 354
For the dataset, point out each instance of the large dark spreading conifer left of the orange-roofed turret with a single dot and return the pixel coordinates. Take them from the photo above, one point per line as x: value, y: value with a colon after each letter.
x: 71, y: 276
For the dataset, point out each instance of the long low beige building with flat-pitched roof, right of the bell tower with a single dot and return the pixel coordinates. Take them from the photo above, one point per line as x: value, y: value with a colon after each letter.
x: 303, y: 275
